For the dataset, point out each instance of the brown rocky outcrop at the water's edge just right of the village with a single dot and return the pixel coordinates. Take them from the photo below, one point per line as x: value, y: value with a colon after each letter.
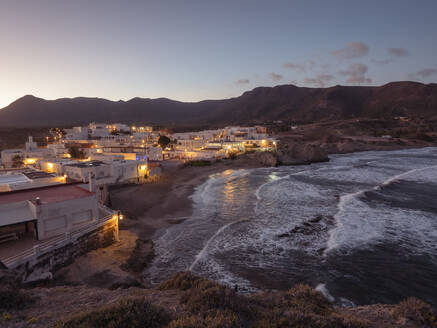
x: 293, y: 153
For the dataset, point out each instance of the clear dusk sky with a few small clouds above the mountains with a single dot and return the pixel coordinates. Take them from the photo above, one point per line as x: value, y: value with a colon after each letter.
x: 194, y: 50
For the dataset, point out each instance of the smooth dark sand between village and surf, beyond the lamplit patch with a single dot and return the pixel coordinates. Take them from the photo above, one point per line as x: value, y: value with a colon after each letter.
x: 154, y: 206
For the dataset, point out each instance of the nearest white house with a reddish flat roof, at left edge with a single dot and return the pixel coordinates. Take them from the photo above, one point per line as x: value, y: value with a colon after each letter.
x: 45, y: 212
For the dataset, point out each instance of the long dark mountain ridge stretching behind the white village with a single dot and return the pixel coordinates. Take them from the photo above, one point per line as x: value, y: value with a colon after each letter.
x: 284, y: 102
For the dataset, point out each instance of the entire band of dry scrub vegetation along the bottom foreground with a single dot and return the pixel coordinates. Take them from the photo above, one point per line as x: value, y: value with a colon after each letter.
x: 208, y: 304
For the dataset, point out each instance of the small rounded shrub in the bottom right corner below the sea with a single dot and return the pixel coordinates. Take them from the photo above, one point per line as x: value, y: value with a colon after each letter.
x: 416, y: 311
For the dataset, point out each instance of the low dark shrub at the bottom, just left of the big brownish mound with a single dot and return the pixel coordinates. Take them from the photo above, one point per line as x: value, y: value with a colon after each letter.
x: 129, y: 313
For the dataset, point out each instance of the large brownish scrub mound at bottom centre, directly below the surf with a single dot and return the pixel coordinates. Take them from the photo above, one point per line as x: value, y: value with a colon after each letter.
x: 213, y: 305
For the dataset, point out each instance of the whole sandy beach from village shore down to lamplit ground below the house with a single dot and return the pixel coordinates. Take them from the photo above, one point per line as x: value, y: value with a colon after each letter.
x: 148, y: 209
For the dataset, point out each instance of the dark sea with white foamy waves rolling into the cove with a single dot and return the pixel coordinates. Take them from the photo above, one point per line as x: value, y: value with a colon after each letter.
x: 361, y: 228
